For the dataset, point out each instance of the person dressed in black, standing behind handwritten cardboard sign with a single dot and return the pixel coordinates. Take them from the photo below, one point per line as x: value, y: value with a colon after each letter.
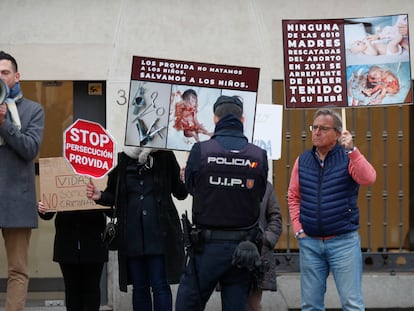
x: 81, y: 254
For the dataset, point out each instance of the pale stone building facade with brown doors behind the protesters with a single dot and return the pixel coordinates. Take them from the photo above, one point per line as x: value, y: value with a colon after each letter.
x: 64, y: 48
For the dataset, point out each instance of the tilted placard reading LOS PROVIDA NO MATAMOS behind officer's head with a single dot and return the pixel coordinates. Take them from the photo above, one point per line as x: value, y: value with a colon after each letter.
x: 171, y: 102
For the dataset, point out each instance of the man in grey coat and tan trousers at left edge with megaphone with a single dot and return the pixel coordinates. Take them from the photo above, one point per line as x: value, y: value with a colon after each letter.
x: 21, y: 133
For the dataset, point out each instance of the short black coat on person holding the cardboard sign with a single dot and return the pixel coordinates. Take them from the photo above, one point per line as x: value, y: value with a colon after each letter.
x: 78, y: 237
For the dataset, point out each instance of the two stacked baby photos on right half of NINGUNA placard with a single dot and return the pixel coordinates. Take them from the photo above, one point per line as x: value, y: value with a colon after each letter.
x: 378, y: 60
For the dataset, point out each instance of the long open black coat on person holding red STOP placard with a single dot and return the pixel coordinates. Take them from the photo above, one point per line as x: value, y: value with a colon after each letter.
x: 166, y: 182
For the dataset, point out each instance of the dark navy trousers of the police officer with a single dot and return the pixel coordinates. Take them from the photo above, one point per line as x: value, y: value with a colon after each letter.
x: 213, y: 266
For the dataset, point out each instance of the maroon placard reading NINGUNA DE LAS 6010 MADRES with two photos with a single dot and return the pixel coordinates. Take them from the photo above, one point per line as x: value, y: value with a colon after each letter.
x: 347, y: 62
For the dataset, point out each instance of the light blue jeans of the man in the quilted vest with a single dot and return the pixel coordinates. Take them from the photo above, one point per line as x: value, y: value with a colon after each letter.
x: 340, y: 255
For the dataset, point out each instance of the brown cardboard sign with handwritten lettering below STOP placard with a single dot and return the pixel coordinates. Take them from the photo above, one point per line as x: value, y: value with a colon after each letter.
x: 62, y: 190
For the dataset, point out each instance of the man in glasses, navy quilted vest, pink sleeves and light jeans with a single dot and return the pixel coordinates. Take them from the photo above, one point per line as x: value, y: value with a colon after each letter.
x: 322, y: 199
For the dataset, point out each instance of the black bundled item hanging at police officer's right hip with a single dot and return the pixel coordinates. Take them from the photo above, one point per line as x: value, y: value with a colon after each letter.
x: 246, y: 256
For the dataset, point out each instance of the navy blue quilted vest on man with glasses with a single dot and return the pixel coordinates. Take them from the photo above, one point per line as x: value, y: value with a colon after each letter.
x: 328, y: 203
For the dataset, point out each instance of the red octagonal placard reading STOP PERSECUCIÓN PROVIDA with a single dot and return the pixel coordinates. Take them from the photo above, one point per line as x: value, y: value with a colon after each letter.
x: 89, y: 148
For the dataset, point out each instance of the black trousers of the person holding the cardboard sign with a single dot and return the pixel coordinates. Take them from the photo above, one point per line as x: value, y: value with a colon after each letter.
x: 82, y: 286
